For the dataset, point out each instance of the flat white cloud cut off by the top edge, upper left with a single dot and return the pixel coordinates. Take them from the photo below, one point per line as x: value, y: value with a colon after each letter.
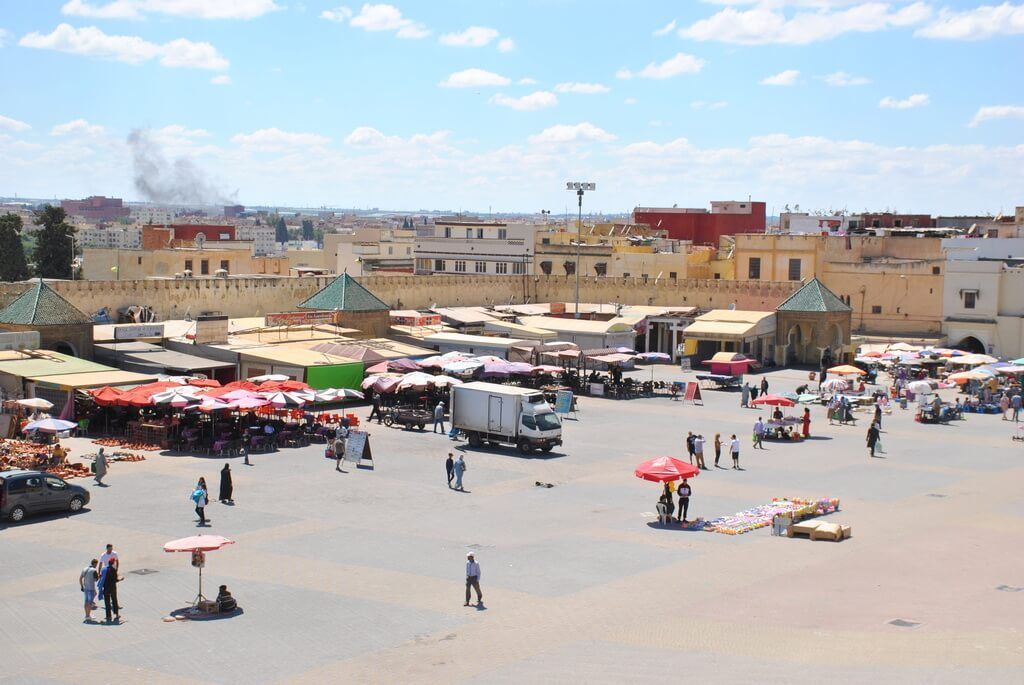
x: 202, y: 10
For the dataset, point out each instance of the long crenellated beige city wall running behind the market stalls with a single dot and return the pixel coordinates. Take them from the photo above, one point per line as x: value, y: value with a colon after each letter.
x: 260, y: 296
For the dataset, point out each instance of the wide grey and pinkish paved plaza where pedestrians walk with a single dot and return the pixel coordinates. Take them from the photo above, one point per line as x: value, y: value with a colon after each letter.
x: 359, y: 578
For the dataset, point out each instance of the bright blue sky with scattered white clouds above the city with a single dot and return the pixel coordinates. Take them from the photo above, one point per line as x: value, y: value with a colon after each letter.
x: 912, y: 106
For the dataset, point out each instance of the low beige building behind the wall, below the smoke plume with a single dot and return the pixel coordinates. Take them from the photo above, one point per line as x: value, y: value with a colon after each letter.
x: 229, y: 260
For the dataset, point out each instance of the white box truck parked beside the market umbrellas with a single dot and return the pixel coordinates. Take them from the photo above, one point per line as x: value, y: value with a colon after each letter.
x: 504, y: 414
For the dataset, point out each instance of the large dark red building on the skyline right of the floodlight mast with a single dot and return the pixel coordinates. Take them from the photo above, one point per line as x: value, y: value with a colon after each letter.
x: 702, y: 227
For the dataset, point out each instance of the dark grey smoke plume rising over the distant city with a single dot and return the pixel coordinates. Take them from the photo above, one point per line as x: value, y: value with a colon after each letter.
x: 167, y: 182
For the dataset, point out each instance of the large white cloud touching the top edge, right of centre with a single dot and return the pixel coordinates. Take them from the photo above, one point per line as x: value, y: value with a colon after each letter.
x: 769, y: 23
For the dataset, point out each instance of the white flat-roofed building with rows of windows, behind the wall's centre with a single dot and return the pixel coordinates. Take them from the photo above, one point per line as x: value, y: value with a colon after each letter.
x: 476, y: 248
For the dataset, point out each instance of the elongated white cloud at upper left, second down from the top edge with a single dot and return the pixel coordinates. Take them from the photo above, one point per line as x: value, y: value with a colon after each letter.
x: 93, y: 42
